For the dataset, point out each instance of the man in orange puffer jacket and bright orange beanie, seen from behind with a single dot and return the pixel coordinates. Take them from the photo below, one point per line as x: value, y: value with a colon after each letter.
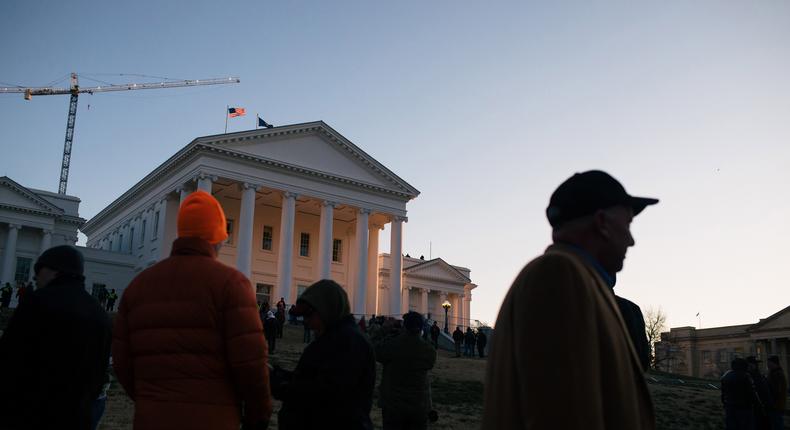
x: 188, y: 345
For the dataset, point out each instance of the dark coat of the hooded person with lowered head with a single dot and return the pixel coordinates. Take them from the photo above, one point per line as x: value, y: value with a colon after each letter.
x: 332, y: 385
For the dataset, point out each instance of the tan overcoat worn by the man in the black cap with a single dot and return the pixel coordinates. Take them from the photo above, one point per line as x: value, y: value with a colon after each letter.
x: 560, y: 356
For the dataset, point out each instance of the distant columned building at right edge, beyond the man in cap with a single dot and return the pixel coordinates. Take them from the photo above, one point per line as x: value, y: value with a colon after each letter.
x: 707, y: 352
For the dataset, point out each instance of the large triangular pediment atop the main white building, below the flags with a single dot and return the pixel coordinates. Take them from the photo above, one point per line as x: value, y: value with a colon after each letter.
x: 317, y: 147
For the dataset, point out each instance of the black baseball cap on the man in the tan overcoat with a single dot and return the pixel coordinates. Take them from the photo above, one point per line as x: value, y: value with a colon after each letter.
x: 584, y: 193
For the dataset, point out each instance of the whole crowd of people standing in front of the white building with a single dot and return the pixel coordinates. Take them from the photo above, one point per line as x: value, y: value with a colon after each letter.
x: 190, y: 344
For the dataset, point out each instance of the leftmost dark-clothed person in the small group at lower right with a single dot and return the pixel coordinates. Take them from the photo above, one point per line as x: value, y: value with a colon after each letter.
x: 738, y: 397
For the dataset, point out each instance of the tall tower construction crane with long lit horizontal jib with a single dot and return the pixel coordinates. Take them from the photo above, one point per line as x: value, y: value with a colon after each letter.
x: 75, y: 90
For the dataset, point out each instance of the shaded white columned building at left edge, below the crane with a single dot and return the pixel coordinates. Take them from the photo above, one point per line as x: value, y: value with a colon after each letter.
x: 32, y: 221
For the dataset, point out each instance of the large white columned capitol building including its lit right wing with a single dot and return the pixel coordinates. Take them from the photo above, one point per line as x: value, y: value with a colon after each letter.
x: 303, y: 203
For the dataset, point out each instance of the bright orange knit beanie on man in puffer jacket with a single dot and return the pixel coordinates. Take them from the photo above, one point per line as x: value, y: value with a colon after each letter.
x: 201, y: 216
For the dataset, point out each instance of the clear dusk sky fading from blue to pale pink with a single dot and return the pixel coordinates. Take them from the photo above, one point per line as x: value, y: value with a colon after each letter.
x: 485, y: 107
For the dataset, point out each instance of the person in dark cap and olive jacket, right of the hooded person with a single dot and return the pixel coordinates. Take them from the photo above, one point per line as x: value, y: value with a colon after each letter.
x: 405, y: 398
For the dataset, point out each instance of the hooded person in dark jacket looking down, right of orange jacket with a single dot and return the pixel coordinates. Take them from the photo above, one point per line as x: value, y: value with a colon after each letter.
x: 332, y: 385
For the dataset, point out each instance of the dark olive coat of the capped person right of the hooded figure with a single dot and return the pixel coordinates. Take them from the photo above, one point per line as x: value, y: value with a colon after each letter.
x: 405, y: 389
